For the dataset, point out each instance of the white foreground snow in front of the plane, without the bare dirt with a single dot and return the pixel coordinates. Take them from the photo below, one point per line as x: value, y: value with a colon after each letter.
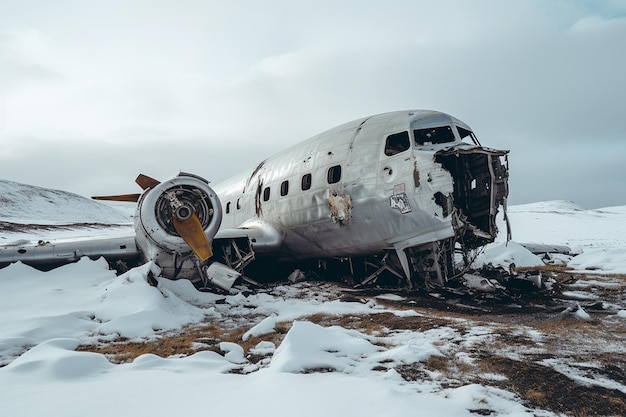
x: 47, y: 315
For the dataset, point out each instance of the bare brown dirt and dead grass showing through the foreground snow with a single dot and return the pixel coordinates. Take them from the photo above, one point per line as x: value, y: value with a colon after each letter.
x: 564, y: 351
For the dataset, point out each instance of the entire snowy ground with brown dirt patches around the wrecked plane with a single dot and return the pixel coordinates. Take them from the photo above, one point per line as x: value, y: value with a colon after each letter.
x: 79, y: 340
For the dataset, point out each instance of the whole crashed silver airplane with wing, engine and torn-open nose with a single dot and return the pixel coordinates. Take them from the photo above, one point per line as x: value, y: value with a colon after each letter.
x: 392, y: 197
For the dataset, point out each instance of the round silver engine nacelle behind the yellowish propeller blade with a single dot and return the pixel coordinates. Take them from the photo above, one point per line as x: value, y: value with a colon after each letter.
x: 156, y: 235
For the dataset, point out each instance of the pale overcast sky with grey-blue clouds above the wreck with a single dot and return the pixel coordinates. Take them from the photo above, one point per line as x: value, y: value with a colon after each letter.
x: 94, y: 92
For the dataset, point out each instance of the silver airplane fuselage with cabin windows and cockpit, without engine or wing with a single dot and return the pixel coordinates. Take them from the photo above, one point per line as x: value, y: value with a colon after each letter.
x: 359, y: 189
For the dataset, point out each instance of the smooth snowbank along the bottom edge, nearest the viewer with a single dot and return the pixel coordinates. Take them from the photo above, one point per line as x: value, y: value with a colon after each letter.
x: 77, y: 383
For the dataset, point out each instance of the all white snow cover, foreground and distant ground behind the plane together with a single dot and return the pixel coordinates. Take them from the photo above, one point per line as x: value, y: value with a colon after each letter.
x: 316, y: 369
